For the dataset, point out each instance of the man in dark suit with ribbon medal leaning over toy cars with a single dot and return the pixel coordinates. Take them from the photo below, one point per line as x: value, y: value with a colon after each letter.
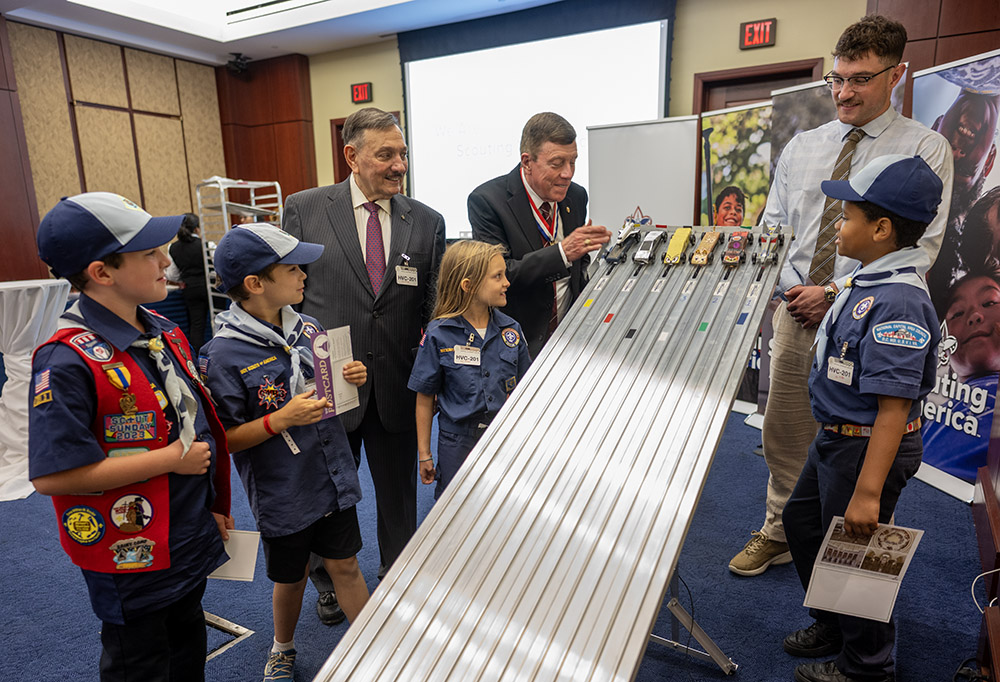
x: 535, y: 206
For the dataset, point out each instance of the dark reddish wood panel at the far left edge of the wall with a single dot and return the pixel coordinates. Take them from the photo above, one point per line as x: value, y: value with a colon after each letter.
x: 18, y: 211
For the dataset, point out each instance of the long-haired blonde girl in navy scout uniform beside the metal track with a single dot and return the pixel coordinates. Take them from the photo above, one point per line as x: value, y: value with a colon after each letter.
x: 470, y: 358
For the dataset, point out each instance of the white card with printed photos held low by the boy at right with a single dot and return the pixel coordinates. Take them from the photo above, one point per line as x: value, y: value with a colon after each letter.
x: 861, y: 576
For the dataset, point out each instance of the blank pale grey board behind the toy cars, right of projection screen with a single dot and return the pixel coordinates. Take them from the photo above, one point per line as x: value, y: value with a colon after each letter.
x: 650, y: 164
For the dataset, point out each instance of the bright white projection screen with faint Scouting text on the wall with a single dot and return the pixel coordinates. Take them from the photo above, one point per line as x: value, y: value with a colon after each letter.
x: 457, y: 143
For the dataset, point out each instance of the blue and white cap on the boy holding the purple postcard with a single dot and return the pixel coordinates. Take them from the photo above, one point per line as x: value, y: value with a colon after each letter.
x: 248, y: 249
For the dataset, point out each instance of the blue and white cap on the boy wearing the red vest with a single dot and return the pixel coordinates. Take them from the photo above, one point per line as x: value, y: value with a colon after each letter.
x: 91, y: 226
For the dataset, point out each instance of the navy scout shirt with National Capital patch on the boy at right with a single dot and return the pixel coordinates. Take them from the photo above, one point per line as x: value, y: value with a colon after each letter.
x: 891, y: 334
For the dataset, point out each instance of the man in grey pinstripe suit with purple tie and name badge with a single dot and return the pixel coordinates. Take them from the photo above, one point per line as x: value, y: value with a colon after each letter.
x: 377, y: 274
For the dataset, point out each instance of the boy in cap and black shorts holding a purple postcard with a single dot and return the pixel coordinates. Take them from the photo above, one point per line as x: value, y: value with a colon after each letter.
x: 296, y: 466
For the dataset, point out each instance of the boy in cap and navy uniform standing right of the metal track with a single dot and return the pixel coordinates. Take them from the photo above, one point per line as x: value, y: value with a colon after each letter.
x: 874, y: 363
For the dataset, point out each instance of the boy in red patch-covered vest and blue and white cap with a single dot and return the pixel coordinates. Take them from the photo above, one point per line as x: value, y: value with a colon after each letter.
x: 125, y: 440
